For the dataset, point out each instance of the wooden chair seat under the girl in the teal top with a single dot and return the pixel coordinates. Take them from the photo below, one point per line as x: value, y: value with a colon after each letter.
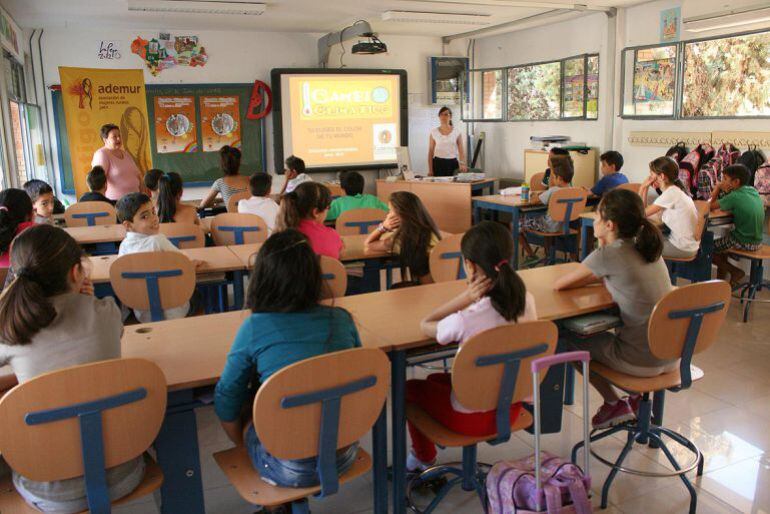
x: 236, y: 464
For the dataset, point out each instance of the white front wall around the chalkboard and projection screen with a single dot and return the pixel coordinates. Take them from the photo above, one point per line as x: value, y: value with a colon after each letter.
x: 242, y: 57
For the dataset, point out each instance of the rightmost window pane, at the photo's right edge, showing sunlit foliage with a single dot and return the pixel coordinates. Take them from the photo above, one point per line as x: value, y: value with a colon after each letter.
x: 727, y: 77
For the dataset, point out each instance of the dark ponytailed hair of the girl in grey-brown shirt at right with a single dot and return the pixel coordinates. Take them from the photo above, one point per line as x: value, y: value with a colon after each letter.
x: 624, y: 208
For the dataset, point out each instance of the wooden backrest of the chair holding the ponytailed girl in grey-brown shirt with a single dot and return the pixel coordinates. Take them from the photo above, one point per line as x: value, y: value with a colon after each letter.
x: 687, y: 321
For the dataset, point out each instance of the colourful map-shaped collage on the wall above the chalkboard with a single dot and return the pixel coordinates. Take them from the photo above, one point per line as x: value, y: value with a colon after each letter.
x: 166, y: 51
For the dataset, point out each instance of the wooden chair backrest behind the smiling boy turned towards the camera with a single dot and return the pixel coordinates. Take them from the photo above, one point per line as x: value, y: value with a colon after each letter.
x: 153, y: 281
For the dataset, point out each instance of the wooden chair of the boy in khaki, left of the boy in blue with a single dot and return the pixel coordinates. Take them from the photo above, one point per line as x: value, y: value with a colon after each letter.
x: 564, y: 205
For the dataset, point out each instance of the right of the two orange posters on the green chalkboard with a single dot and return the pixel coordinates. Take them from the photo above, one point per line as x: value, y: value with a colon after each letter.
x: 220, y: 122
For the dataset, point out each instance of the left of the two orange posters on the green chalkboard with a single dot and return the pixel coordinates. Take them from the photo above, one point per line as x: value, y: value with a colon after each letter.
x: 175, y: 130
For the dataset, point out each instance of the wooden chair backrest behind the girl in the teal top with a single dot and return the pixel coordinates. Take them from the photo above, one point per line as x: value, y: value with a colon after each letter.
x: 319, y: 405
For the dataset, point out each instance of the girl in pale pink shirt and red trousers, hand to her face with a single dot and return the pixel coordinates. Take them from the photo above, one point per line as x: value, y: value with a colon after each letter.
x: 495, y: 296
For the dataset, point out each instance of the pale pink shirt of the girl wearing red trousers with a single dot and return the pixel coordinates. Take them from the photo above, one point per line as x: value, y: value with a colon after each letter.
x: 474, y: 319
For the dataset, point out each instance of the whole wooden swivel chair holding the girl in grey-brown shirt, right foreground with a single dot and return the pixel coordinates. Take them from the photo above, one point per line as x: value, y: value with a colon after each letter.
x: 683, y: 323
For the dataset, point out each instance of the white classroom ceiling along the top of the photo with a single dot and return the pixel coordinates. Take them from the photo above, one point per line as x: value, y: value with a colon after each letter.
x: 313, y: 16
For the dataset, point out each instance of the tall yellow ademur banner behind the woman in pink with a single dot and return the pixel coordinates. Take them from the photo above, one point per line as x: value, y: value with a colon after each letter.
x: 94, y: 97
